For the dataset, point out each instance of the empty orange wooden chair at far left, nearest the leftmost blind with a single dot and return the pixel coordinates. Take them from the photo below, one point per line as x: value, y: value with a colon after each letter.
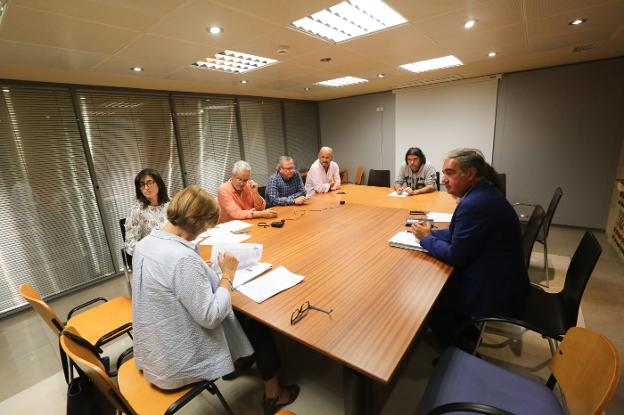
x: 99, y: 324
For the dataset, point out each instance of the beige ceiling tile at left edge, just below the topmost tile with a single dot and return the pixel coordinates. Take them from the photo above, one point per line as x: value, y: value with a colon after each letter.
x: 55, y: 30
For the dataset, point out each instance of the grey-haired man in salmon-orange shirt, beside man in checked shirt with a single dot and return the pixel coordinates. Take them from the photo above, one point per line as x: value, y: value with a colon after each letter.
x: 239, y: 197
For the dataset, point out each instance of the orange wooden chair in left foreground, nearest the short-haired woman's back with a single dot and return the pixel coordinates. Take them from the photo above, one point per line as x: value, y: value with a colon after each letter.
x: 134, y: 395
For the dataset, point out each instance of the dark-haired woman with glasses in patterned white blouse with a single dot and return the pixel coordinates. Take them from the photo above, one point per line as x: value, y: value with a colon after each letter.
x: 150, y: 210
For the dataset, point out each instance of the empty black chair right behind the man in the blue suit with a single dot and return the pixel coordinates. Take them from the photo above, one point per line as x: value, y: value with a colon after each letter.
x: 552, y: 314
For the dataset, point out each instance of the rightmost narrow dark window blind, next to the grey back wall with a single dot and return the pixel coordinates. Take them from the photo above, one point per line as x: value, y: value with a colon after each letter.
x: 302, y: 136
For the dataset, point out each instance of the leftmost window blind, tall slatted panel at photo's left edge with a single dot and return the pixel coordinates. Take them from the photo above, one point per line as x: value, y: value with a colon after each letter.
x: 52, y: 233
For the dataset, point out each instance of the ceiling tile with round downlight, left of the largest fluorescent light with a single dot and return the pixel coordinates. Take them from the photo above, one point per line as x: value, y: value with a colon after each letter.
x: 190, y: 21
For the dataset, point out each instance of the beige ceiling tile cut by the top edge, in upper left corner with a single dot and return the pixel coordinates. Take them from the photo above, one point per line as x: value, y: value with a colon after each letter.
x: 130, y: 14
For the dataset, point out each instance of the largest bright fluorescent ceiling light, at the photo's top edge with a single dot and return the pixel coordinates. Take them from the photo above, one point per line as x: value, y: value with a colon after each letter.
x: 349, y: 19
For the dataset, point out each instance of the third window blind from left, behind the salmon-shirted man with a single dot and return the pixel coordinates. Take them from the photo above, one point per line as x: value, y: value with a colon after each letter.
x: 209, y: 138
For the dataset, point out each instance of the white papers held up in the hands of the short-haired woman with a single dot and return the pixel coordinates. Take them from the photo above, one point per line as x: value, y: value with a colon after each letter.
x: 249, y: 265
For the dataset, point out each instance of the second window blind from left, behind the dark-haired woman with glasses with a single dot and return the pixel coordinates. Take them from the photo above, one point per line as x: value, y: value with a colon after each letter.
x: 128, y: 132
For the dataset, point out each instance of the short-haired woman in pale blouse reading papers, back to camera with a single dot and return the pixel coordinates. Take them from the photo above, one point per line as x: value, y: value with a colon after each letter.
x: 183, y: 324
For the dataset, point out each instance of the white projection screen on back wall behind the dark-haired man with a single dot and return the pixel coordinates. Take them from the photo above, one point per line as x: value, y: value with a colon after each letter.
x: 444, y: 117
